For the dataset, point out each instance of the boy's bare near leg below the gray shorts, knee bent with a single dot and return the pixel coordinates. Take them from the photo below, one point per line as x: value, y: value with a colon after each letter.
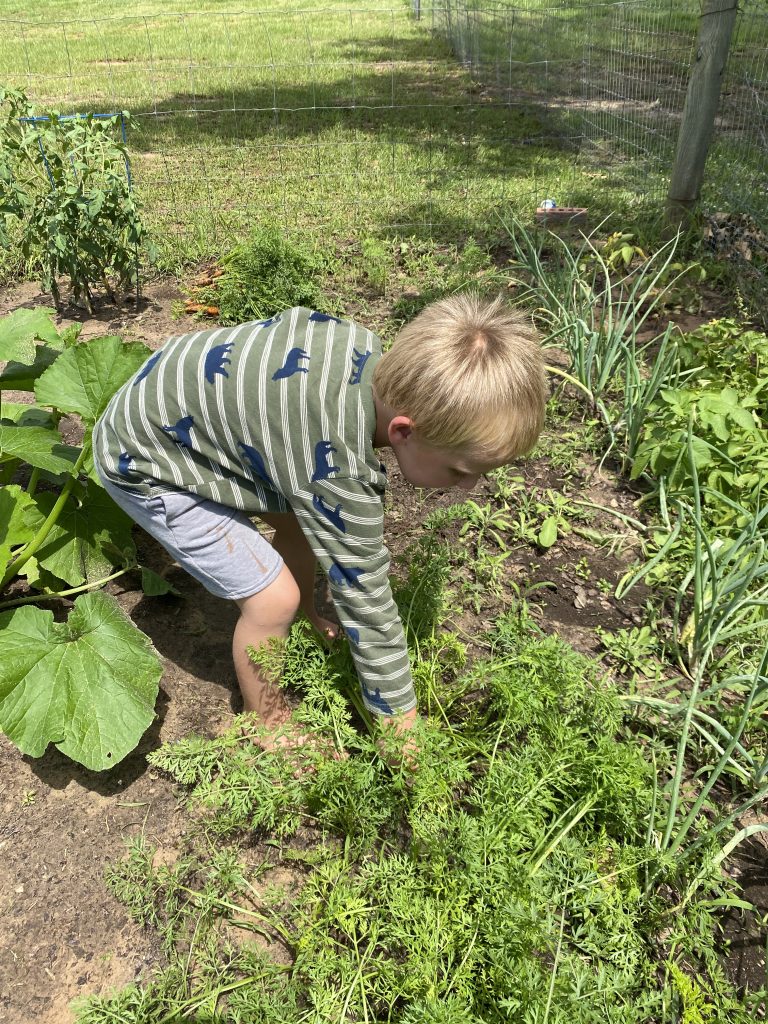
x: 265, y: 617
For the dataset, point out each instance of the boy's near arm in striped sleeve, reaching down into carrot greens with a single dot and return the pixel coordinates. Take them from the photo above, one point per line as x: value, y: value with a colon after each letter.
x: 343, y: 521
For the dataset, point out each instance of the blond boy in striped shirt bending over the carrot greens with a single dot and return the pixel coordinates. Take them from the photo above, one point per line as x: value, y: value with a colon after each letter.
x: 282, y: 419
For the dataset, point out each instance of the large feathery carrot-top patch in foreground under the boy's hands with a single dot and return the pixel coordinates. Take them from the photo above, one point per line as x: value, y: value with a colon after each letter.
x: 503, y: 880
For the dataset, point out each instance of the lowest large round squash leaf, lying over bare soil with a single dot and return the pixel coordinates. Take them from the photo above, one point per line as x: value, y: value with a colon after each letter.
x: 89, y: 686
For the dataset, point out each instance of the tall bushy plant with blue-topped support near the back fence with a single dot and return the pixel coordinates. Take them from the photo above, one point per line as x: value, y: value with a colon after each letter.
x: 65, y: 180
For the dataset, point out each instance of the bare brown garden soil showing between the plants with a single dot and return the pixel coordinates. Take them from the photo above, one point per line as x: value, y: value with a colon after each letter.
x: 64, y: 936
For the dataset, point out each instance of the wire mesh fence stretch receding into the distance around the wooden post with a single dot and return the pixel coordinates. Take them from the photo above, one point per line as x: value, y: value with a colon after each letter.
x: 618, y: 73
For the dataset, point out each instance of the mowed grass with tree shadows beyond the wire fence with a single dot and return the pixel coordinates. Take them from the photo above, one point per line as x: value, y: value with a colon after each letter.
x: 343, y: 122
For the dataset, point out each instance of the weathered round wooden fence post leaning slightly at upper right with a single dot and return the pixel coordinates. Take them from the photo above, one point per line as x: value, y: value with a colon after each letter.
x: 715, y: 30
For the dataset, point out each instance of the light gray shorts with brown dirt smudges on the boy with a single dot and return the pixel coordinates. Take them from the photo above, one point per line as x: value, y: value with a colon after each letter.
x: 220, y: 546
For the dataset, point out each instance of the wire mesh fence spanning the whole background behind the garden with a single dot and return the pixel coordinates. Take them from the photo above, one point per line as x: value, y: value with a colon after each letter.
x: 414, y: 117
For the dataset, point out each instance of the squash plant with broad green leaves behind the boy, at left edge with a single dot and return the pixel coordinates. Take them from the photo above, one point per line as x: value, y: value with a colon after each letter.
x: 88, y: 685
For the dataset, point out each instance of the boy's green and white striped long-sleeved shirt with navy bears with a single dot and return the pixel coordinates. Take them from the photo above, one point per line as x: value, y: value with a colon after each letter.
x: 271, y: 416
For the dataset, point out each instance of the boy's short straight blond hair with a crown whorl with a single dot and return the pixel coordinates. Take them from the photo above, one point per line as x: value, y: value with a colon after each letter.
x: 470, y: 373
